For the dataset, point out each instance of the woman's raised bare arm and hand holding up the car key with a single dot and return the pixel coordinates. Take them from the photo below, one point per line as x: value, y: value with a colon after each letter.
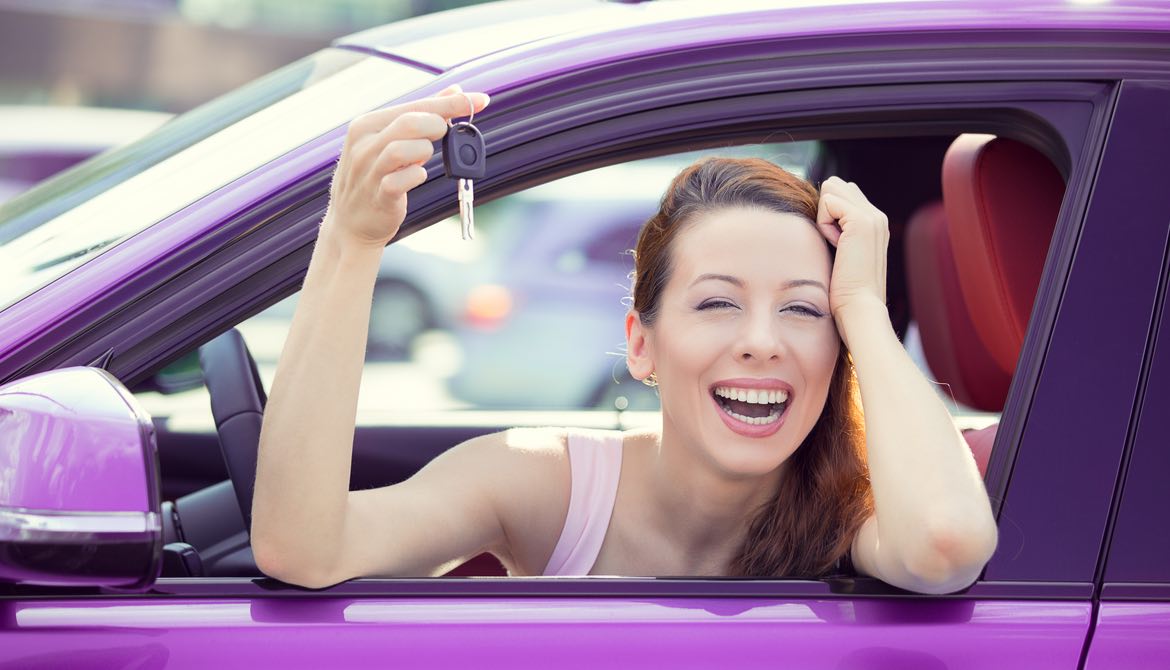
x: 302, y: 506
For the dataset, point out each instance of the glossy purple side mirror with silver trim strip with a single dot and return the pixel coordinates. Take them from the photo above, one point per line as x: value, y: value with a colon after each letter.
x: 79, y: 483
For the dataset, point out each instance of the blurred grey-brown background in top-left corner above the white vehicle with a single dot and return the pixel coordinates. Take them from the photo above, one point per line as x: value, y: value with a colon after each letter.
x: 169, y: 56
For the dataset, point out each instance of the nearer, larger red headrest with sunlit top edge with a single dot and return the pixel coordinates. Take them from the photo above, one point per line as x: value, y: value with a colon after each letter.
x: 1002, y: 199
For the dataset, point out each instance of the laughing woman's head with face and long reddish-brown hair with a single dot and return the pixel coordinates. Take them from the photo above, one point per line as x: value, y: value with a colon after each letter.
x: 755, y: 330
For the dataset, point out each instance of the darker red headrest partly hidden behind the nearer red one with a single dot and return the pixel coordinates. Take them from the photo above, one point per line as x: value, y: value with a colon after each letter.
x: 954, y: 350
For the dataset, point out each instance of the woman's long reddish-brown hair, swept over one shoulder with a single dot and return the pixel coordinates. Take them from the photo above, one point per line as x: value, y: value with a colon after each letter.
x: 809, y: 524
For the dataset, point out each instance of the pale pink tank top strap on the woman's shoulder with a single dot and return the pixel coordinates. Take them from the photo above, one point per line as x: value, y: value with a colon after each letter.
x: 595, y: 461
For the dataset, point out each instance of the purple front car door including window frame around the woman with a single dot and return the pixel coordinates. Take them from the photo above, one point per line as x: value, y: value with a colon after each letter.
x: 1033, y: 609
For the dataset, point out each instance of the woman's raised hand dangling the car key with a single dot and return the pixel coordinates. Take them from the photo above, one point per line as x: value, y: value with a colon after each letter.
x: 383, y: 158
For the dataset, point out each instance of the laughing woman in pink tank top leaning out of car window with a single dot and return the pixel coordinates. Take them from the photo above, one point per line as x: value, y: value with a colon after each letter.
x: 748, y: 324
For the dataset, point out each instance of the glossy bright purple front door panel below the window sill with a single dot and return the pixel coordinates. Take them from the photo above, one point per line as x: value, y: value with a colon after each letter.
x: 542, y: 633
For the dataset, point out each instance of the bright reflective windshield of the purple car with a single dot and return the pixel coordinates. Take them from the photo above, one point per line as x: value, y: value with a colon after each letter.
x: 74, y: 217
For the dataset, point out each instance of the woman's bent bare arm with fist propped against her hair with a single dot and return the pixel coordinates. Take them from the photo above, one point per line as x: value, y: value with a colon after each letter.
x: 933, y: 530
